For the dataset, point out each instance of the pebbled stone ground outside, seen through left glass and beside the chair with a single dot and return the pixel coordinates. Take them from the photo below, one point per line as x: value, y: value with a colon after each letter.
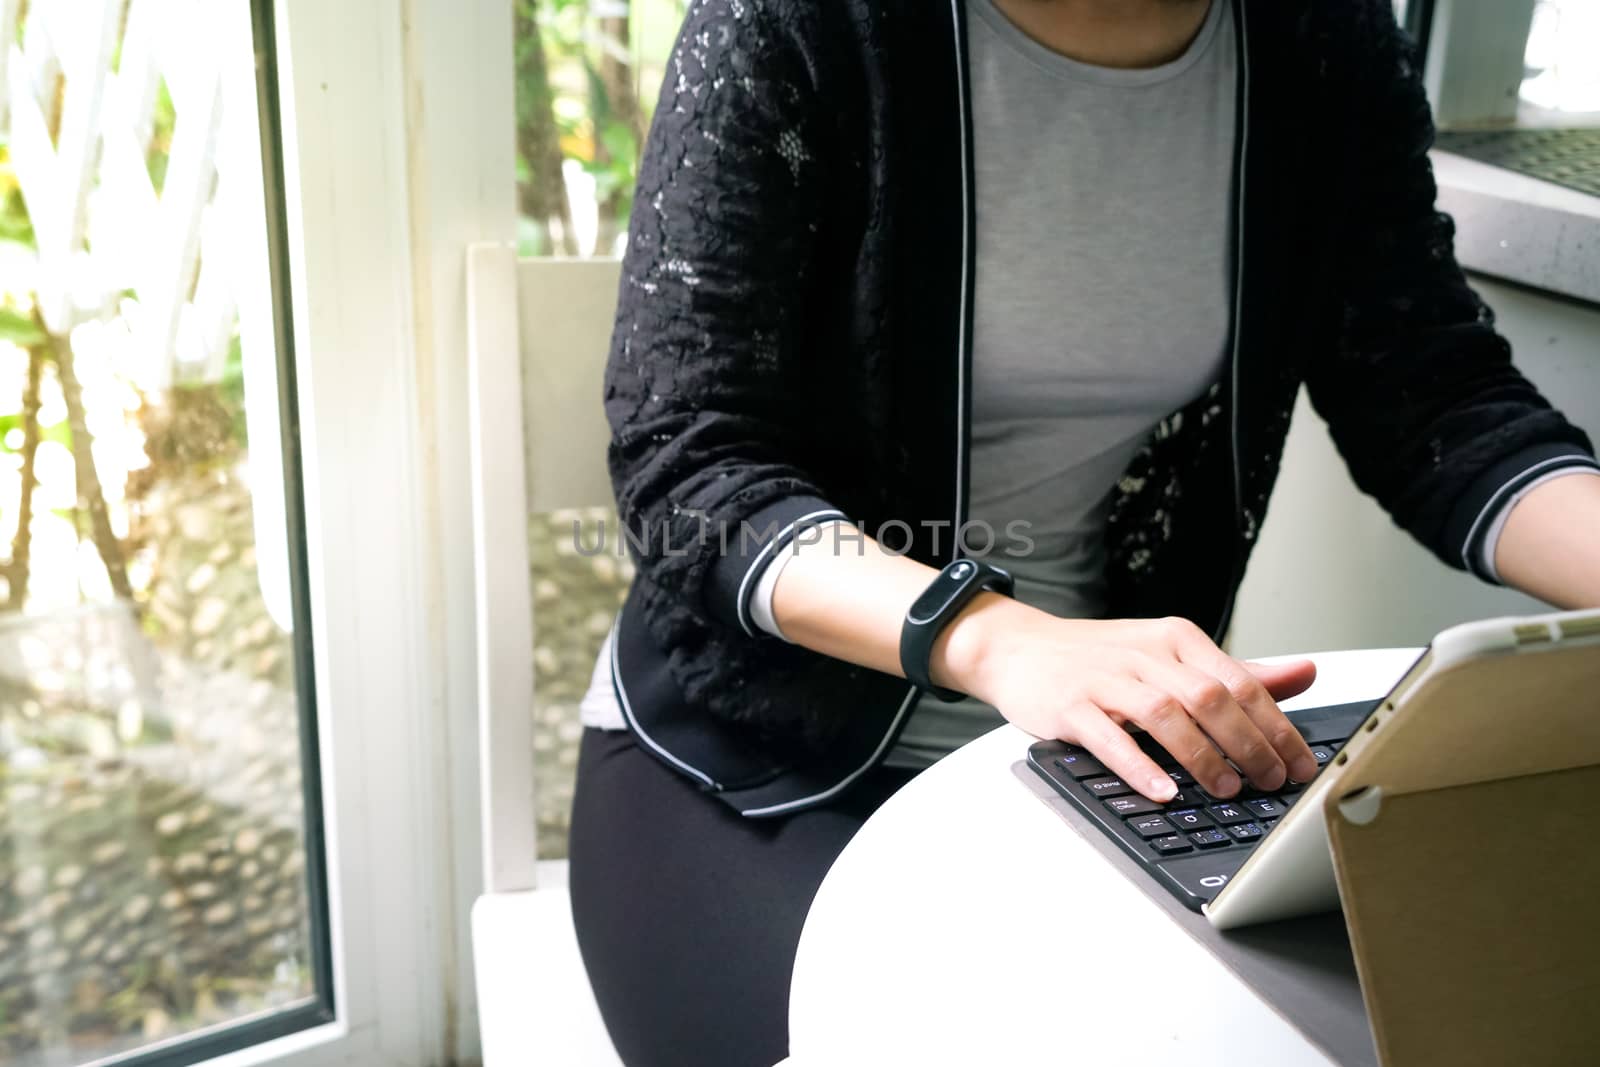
x: 151, y: 823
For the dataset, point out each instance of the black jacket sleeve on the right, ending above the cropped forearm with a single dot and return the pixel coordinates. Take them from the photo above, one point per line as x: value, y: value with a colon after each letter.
x: 1422, y: 396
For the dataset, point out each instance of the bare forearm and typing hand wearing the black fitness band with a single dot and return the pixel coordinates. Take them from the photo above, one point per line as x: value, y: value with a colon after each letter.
x: 1073, y: 679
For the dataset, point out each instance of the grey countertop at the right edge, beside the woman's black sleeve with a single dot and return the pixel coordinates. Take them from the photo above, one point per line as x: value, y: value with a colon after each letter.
x: 1522, y: 230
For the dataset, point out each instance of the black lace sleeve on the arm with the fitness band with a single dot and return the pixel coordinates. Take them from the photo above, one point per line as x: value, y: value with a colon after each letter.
x: 708, y: 449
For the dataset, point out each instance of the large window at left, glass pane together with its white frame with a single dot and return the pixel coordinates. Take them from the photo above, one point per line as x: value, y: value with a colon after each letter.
x: 239, y: 781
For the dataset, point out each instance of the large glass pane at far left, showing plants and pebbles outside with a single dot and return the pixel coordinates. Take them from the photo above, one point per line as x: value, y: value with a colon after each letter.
x: 154, y: 825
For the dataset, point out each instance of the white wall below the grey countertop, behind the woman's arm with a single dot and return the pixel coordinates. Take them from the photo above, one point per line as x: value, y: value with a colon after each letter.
x: 1334, y: 572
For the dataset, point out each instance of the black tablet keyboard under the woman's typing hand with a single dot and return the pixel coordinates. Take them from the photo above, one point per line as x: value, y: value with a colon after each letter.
x: 1194, y: 842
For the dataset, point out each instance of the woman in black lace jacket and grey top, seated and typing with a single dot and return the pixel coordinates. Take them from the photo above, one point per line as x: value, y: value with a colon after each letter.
x: 1015, y: 282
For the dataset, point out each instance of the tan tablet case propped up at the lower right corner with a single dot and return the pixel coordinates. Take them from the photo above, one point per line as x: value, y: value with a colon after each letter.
x: 1466, y: 841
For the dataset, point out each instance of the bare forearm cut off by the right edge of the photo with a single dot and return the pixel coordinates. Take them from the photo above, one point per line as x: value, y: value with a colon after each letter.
x: 1551, y: 543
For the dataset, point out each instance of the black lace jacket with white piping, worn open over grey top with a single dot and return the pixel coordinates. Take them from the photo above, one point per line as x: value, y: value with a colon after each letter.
x: 793, y: 343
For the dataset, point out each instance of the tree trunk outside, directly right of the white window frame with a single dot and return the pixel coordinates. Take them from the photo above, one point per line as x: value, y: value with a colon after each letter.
x: 543, y: 196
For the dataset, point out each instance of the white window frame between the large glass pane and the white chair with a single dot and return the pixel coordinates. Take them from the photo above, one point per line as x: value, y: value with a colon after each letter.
x: 398, y: 153
